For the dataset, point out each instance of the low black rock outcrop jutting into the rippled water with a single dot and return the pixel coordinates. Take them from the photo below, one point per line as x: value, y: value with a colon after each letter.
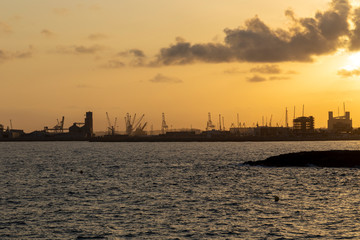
x: 333, y: 158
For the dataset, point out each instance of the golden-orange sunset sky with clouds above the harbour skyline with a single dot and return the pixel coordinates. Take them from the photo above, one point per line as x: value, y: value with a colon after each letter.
x: 184, y: 58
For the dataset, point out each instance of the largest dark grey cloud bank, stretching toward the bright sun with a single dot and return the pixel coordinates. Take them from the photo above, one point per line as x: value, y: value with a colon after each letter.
x: 255, y: 41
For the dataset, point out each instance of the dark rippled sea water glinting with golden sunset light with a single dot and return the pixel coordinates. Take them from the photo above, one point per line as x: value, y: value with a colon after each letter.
x: 82, y: 190
